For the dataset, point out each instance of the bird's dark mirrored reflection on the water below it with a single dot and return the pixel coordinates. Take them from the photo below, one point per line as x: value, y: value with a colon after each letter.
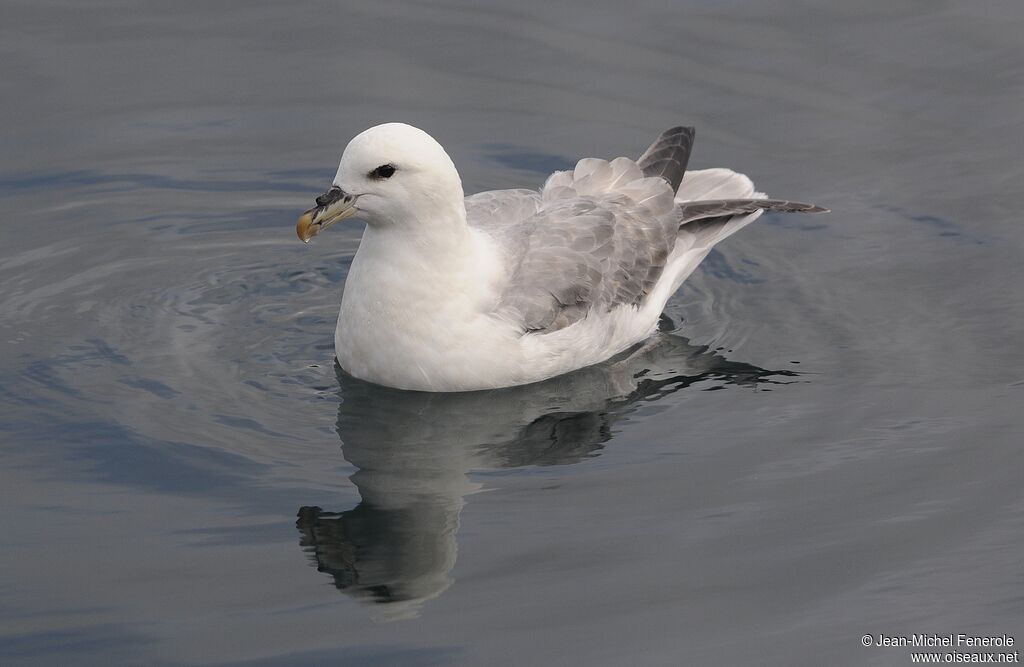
x: 413, y: 452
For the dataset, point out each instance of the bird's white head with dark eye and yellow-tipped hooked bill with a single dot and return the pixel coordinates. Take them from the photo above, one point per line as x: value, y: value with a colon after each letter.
x: 393, y: 176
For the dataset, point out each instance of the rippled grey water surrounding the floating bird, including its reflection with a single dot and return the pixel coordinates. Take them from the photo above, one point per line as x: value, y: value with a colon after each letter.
x: 825, y: 441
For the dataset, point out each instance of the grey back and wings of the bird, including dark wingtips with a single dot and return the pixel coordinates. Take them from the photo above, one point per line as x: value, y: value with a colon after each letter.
x: 600, y: 237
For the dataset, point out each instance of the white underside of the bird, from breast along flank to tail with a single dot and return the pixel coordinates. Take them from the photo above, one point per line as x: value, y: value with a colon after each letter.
x: 408, y: 328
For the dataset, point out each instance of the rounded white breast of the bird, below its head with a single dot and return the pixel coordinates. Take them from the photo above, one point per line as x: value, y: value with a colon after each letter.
x: 414, y: 320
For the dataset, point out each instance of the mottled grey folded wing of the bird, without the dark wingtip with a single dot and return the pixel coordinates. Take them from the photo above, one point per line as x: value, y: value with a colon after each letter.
x: 581, y: 257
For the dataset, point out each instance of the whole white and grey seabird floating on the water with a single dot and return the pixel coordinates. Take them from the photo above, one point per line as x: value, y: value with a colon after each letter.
x: 503, y: 288
